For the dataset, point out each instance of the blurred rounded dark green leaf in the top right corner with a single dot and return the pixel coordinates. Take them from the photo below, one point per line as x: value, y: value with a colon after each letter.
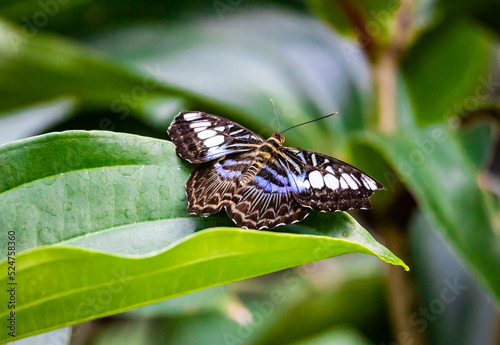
x: 443, y: 78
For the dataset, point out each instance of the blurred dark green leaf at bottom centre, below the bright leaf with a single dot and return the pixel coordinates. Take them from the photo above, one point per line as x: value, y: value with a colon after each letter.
x: 357, y: 301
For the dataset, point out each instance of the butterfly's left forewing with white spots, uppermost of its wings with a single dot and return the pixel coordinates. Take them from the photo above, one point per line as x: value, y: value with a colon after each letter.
x: 200, y: 137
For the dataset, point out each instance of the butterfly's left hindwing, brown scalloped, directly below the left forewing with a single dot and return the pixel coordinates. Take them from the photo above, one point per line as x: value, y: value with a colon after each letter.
x: 211, y: 184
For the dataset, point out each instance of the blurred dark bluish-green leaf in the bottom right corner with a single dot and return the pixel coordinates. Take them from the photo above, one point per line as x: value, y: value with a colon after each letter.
x: 429, y: 249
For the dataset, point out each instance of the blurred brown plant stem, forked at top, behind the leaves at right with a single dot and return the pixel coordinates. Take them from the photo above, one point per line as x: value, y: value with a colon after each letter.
x: 384, y: 58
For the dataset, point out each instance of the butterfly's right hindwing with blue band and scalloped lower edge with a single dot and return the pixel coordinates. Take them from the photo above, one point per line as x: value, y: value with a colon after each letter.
x: 266, y: 201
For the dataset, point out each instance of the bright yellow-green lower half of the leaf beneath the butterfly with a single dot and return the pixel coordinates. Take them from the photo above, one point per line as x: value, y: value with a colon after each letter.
x: 204, y: 259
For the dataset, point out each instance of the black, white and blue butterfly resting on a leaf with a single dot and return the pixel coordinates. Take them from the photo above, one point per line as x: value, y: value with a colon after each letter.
x: 261, y: 183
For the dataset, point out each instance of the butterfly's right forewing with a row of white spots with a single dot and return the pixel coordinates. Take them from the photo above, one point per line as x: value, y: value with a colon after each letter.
x: 327, y: 184
